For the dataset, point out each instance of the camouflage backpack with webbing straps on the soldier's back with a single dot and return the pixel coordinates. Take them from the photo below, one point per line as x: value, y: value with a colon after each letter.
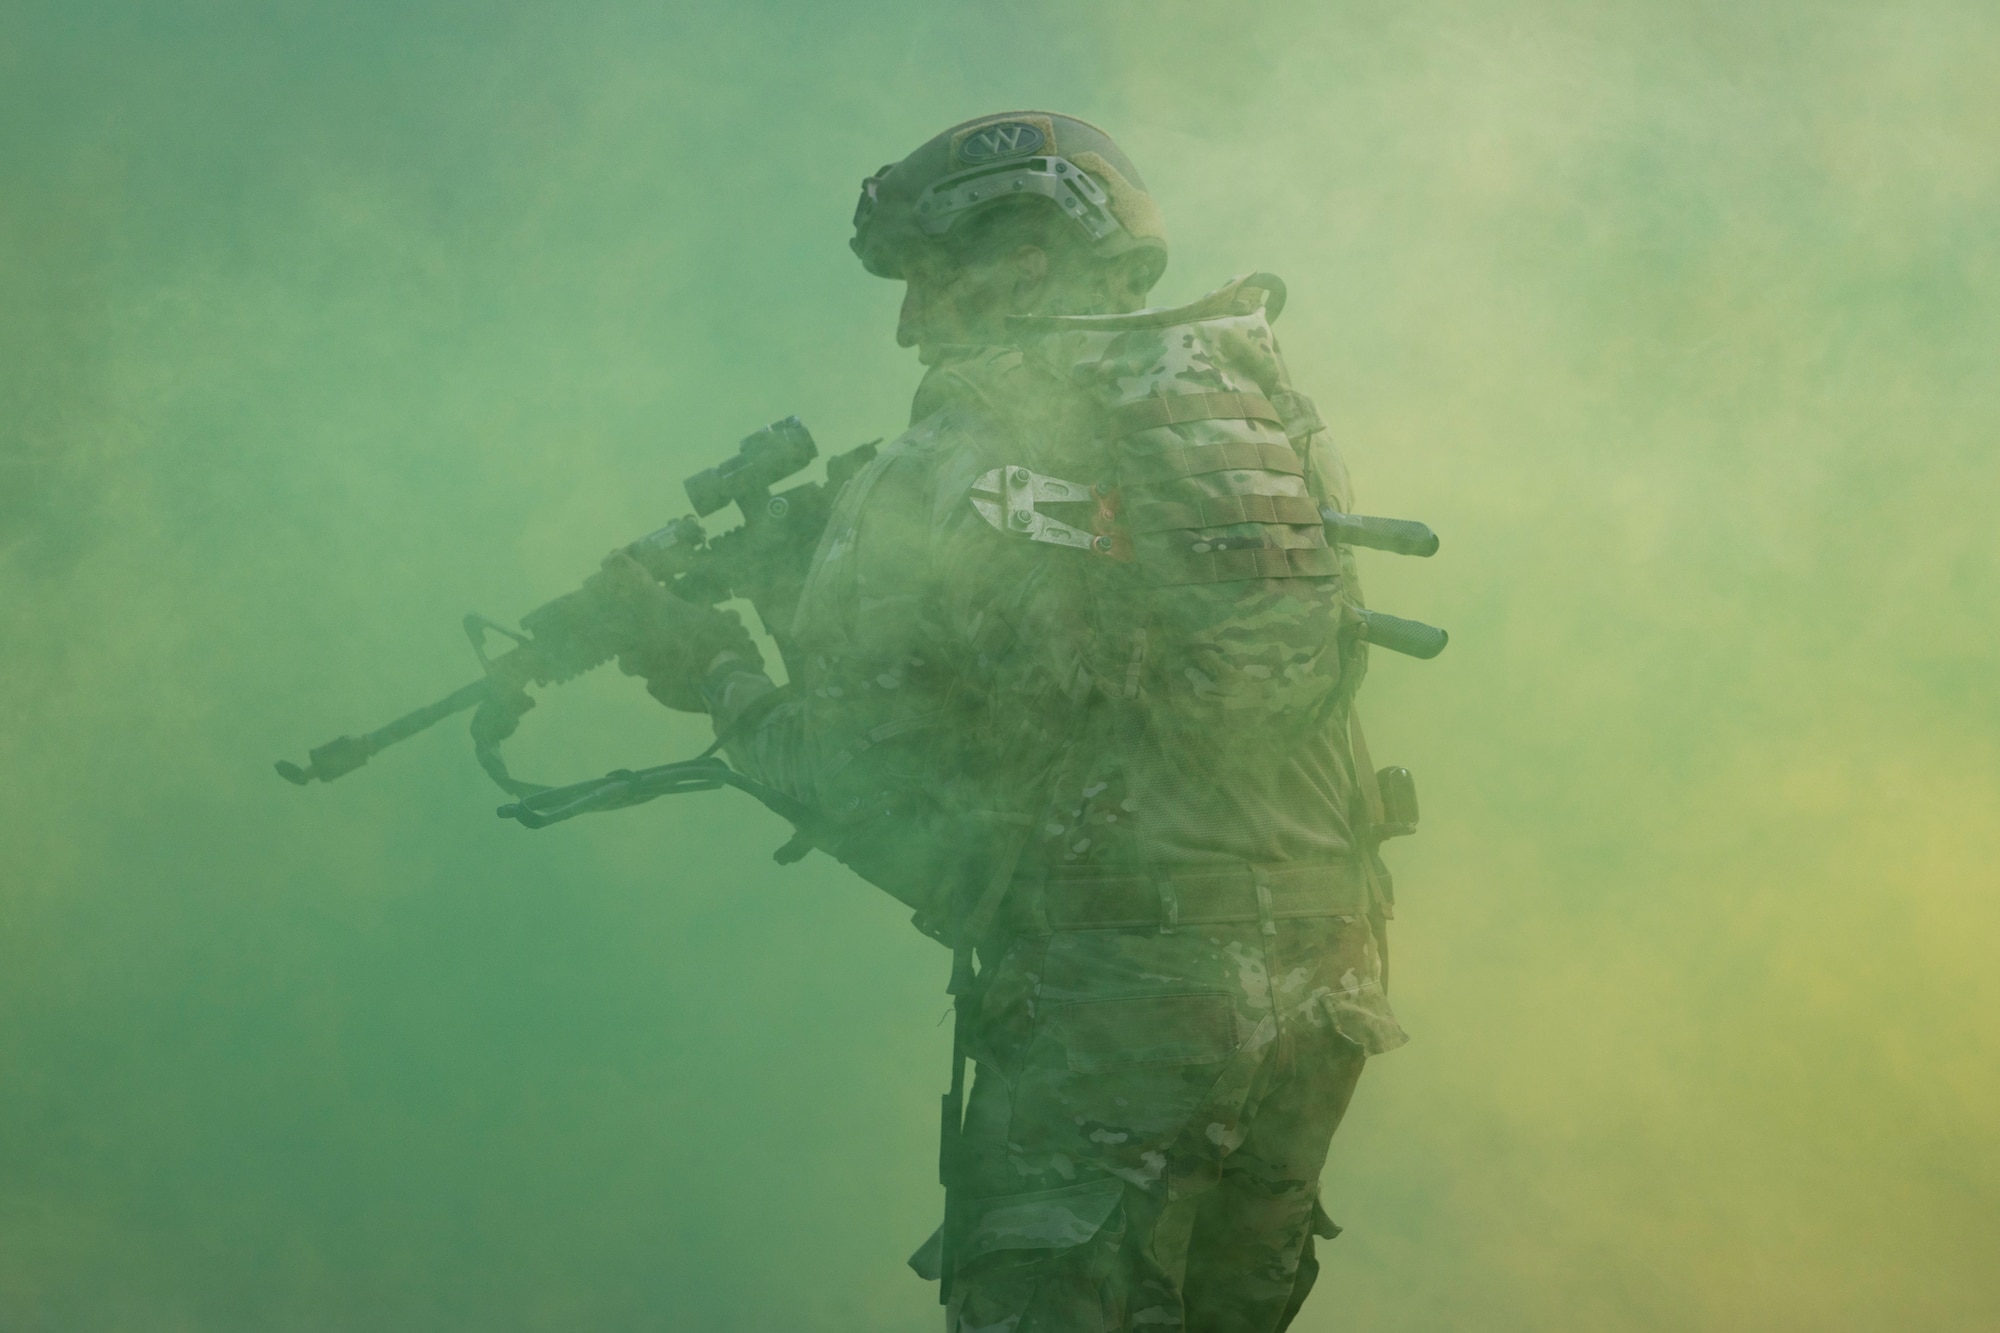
x: 1205, y: 639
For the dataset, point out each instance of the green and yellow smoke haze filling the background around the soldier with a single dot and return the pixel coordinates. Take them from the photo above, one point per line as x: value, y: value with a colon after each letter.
x: 323, y: 325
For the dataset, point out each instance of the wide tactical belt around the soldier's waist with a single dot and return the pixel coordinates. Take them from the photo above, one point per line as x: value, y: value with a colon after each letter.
x: 1075, y: 900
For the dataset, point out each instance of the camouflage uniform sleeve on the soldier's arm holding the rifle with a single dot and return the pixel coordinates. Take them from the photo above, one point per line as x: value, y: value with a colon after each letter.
x: 875, y: 734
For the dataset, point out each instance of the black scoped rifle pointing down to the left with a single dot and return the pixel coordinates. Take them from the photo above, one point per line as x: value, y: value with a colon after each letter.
x: 763, y: 559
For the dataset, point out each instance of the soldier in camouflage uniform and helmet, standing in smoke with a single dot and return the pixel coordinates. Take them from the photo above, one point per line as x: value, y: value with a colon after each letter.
x: 1079, y: 690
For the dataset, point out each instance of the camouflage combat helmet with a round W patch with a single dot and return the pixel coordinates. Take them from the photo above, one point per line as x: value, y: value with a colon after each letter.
x: 989, y: 159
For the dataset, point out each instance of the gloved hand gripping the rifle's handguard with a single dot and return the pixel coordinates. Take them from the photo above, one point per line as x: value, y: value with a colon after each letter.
x: 673, y: 643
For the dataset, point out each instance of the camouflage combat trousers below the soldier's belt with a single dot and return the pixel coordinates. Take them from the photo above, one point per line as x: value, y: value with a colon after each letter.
x: 1149, y: 1126
